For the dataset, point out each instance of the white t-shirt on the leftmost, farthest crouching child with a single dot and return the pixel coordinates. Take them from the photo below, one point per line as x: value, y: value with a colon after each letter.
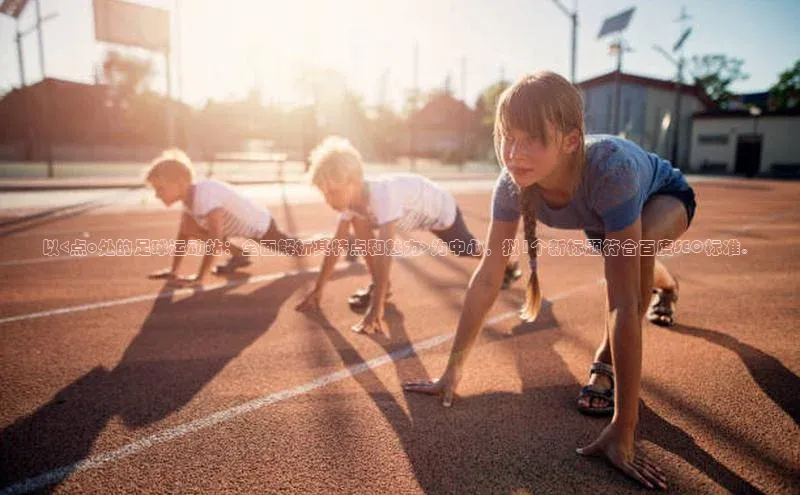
x: 240, y: 216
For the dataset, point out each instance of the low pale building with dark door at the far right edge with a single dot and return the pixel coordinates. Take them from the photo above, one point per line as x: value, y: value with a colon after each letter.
x: 746, y: 142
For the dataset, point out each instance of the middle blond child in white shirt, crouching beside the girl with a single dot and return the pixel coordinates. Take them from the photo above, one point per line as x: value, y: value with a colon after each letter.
x: 398, y: 203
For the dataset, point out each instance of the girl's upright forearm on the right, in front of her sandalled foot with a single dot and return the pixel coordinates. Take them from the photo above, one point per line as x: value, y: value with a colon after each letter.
x: 626, y: 351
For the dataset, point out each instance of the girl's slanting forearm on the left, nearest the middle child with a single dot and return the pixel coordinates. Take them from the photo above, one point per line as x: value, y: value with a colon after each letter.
x: 481, y: 294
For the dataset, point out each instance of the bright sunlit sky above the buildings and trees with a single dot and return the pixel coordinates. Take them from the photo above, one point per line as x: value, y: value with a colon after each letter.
x: 222, y: 50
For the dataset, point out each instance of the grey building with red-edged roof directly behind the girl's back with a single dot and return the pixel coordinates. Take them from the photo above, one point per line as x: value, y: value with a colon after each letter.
x: 647, y: 107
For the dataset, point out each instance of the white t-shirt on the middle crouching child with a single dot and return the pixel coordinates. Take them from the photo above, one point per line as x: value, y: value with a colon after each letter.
x: 413, y: 201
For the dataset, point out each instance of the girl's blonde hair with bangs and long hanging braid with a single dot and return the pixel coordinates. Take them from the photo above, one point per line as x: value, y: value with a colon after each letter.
x: 529, y: 105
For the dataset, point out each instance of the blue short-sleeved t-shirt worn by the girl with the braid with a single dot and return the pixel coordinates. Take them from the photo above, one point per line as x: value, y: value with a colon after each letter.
x: 618, y: 178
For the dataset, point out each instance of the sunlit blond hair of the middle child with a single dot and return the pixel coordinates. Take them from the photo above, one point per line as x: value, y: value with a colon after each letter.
x: 335, y: 160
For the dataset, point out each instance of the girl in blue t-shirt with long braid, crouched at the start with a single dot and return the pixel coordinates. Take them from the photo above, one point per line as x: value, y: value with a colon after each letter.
x: 616, y: 192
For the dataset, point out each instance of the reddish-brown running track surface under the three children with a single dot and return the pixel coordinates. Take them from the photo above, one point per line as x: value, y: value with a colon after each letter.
x: 147, y: 390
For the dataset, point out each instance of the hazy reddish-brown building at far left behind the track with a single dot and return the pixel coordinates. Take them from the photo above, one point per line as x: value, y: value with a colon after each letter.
x: 74, y: 121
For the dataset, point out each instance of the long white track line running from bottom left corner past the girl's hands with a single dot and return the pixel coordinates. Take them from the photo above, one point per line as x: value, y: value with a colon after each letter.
x: 174, y: 433
